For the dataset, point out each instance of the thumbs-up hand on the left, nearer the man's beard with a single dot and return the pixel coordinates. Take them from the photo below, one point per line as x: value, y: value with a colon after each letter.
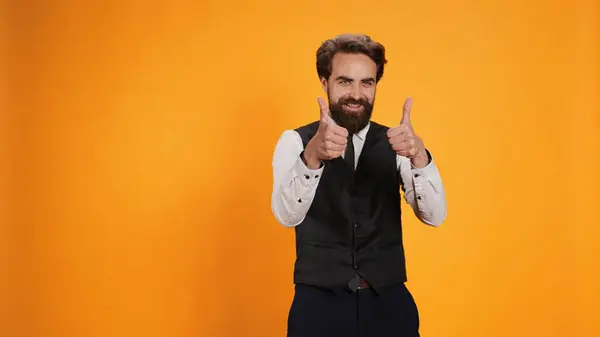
x: 328, y: 143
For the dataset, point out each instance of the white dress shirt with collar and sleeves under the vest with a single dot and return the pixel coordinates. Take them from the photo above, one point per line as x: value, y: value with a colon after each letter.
x: 295, y: 185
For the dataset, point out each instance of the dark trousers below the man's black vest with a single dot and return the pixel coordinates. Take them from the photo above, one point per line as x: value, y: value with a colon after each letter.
x: 317, y: 312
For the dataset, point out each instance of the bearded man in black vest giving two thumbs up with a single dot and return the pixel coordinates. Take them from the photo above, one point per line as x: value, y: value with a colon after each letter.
x: 337, y: 181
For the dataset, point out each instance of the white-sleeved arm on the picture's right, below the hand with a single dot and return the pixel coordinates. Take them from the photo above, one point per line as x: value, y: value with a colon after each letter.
x: 423, y: 191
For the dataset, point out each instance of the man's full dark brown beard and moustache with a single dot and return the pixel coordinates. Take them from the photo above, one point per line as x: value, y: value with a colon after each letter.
x: 353, y: 121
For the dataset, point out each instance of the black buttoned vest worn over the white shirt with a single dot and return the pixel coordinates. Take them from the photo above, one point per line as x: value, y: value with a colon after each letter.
x: 354, y: 223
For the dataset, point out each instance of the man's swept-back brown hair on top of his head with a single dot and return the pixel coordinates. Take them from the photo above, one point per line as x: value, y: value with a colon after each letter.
x: 353, y: 44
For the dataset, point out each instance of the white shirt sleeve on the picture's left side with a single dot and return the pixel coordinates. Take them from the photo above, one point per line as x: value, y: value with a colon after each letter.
x: 294, y: 184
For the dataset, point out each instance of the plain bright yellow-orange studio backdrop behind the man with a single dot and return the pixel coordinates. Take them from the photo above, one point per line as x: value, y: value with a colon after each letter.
x: 137, y: 145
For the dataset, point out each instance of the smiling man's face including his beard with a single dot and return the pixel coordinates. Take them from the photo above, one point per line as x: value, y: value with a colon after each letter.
x: 351, y: 90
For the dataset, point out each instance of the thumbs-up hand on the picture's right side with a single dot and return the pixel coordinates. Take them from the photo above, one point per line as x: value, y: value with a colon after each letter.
x: 405, y: 142
